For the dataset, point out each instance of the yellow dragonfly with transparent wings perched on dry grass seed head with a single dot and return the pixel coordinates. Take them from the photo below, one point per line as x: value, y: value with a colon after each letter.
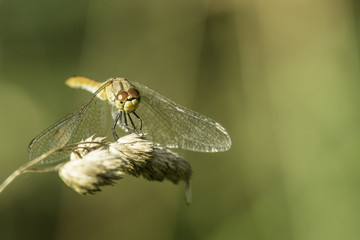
x: 134, y: 108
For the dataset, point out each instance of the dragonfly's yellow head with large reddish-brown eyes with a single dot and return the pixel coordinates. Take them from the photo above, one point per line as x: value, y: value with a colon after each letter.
x: 127, y: 100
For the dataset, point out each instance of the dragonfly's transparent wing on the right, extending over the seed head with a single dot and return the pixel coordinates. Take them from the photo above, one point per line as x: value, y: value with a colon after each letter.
x: 172, y: 125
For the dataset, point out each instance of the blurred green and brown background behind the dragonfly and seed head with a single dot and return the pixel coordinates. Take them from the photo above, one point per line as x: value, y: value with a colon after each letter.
x: 281, y: 76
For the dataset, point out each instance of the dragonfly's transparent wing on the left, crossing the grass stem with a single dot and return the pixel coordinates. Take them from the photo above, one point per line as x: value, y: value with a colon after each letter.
x: 89, y: 119
